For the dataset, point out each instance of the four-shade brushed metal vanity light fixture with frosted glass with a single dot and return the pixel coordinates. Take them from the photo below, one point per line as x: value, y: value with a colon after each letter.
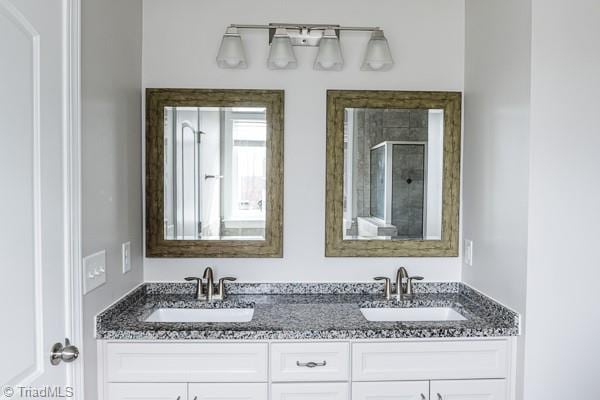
x: 282, y: 38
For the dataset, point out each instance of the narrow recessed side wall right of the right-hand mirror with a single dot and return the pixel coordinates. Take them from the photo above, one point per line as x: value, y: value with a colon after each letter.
x: 496, y: 149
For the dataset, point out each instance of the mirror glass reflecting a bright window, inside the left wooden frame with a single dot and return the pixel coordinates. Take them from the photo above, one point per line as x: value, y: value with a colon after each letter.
x: 215, y: 173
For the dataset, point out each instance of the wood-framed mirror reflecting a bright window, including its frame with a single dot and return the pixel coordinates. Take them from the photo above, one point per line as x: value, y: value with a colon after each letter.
x: 214, y: 173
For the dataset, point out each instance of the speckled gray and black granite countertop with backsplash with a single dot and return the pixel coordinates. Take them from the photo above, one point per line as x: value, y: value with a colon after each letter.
x: 305, y: 311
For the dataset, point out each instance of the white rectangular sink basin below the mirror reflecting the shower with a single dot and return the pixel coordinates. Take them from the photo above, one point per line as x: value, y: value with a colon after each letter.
x: 411, y: 314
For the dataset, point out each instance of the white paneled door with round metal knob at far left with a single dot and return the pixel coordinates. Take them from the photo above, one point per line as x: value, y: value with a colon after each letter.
x: 34, y: 252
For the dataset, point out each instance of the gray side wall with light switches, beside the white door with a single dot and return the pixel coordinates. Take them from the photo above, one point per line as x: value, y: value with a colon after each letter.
x: 111, y: 153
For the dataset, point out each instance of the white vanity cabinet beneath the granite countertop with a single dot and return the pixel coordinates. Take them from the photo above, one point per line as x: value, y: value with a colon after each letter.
x: 399, y: 369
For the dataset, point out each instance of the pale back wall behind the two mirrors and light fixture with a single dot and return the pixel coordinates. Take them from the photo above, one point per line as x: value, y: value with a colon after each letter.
x: 181, y: 38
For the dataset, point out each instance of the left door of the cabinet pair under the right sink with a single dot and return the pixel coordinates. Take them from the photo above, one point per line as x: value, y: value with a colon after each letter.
x: 390, y: 390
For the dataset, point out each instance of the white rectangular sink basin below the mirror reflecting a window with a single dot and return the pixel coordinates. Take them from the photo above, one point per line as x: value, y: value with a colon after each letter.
x: 201, y: 315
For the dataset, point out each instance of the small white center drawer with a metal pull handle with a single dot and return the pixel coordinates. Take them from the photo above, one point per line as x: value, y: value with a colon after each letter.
x: 292, y: 362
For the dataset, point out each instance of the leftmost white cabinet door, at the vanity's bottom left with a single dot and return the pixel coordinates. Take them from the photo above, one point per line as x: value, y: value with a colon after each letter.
x: 147, y: 391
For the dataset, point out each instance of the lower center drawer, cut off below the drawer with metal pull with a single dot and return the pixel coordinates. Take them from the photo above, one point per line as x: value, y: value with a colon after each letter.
x: 309, y: 391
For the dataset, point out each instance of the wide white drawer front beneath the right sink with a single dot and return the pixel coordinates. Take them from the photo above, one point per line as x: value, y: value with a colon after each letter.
x: 430, y: 360
